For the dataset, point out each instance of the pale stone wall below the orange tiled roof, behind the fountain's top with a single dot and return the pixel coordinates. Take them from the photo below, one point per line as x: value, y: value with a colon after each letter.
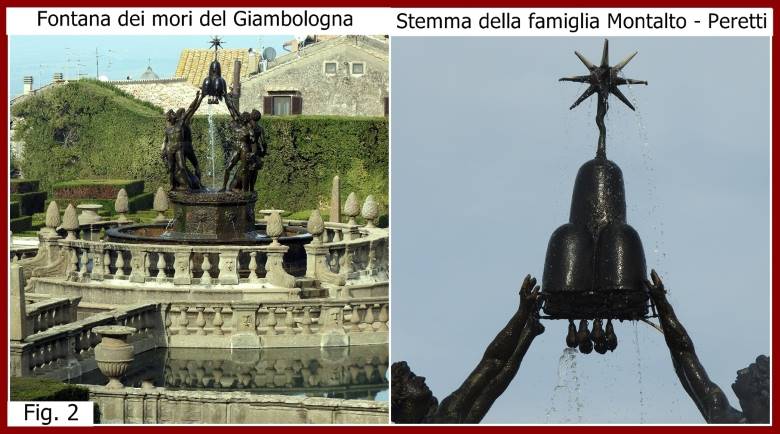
x: 168, y: 94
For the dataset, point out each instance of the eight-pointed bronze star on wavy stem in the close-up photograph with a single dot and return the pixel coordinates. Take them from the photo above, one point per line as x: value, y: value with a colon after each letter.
x: 603, y: 80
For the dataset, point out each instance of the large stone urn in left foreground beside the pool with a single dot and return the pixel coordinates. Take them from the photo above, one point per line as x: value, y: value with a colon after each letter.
x: 113, y: 354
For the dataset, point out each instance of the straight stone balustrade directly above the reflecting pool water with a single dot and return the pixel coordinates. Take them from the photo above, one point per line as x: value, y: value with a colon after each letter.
x: 299, y: 323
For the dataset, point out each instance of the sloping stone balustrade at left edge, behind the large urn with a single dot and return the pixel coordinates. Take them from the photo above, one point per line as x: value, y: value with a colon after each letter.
x: 65, y: 351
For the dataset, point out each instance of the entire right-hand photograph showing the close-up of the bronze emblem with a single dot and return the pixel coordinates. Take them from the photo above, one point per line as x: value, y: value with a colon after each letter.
x: 581, y: 230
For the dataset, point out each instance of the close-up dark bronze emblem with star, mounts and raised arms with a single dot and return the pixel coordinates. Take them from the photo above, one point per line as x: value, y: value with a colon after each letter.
x: 594, y: 269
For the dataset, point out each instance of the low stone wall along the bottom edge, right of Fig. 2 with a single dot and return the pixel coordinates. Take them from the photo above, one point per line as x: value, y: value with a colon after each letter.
x: 158, y: 405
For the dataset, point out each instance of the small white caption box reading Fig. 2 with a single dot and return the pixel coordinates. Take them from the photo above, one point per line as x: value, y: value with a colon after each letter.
x: 51, y: 413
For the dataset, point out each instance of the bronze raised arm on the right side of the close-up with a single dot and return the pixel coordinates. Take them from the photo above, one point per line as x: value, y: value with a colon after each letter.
x: 708, y: 397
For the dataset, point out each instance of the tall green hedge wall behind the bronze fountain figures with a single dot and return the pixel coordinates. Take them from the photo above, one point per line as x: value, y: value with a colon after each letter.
x: 87, y: 129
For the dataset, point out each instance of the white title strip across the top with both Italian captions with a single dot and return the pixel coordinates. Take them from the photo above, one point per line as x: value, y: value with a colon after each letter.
x: 393, y: 21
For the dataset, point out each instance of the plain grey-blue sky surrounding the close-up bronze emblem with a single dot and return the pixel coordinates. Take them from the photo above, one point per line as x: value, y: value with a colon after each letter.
x: 484, y: 155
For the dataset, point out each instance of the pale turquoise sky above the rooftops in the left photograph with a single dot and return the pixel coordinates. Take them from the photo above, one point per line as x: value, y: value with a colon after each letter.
x: 119, y: 56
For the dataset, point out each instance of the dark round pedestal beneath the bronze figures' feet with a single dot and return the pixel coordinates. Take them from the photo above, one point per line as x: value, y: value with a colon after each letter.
x: 210, y: 215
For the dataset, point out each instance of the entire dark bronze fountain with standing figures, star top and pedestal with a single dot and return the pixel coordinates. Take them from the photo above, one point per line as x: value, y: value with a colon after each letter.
x: 204, y: 215
